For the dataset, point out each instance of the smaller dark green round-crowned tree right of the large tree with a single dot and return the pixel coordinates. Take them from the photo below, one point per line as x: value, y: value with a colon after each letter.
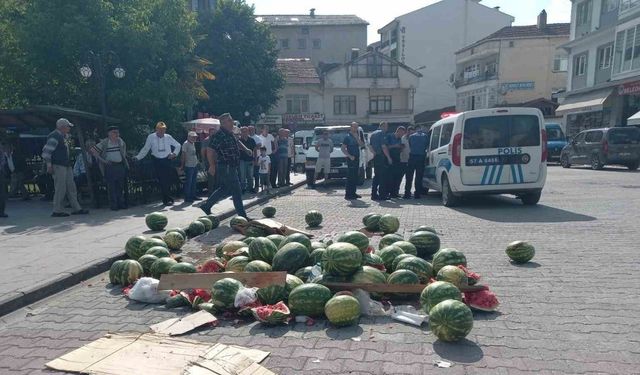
x: 243, y: 53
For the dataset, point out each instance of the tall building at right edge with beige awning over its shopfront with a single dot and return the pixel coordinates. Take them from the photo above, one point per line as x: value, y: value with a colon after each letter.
x: 604, y: 69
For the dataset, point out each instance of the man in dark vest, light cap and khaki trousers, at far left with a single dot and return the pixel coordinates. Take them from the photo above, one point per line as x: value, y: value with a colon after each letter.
x: 56, y: 154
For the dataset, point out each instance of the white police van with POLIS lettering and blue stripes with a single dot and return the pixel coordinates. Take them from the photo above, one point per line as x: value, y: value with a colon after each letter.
x: 488, y: 151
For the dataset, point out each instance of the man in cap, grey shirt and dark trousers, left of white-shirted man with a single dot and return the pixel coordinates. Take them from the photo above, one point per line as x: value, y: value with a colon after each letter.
x: 112, y: 154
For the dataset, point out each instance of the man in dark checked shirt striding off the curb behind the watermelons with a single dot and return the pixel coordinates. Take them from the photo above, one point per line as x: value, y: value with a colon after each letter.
x: 225, y: 154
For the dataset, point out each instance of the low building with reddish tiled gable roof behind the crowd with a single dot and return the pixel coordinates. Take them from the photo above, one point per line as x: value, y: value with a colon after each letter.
x: 368, y: 89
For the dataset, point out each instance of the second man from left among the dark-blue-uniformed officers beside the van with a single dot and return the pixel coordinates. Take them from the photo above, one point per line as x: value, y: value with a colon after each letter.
x: 381, y: 163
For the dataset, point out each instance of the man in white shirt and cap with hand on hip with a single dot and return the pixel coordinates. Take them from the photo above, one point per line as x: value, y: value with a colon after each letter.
x: 163, y: 149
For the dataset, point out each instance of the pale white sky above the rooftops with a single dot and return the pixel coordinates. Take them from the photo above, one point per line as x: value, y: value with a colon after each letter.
x: 378, y: 12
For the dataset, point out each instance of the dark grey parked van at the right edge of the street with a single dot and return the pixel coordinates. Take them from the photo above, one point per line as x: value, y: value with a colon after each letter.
x: 600, y: 147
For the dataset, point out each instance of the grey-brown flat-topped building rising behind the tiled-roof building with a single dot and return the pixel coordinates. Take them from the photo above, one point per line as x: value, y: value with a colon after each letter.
x: 321, y: 38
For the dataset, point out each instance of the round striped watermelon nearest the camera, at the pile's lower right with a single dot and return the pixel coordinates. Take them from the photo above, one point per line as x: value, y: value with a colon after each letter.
x: 450, y: 320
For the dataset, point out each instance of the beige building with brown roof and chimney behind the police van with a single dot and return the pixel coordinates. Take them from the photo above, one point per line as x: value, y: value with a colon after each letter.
x: 516, y: 64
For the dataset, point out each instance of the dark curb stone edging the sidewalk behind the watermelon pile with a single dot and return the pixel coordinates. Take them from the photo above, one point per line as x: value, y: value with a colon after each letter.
x: 75, y: 276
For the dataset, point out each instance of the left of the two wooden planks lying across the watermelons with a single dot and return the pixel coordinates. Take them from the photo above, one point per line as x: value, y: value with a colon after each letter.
x: 183, y: 281
